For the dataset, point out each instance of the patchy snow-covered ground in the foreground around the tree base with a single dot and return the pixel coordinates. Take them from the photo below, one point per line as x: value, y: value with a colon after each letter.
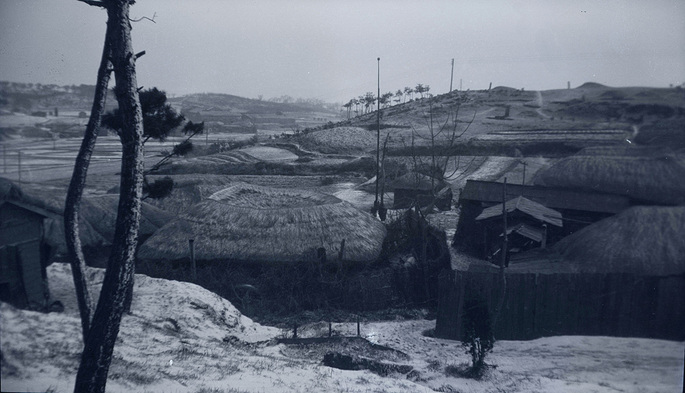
x: 182, y: 338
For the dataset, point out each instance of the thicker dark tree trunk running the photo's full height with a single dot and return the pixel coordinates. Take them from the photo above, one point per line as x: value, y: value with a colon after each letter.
x: 104, y: 329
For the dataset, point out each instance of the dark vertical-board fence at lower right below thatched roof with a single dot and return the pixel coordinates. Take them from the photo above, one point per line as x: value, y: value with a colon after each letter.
x: 538, y: 305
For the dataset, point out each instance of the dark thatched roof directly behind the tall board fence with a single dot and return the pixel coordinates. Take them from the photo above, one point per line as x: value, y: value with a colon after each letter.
x: 640, y: 240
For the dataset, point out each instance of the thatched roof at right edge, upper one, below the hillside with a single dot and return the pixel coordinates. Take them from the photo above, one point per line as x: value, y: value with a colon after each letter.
x: 653, y: 179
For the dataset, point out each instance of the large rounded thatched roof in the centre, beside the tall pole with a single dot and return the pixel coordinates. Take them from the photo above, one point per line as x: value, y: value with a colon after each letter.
x: 260, y: 224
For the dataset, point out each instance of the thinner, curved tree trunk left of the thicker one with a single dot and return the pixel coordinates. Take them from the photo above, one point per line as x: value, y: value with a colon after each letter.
x: 76, y: 186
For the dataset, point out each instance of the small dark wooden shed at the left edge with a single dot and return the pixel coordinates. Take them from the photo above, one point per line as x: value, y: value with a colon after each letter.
x: 23, y: 255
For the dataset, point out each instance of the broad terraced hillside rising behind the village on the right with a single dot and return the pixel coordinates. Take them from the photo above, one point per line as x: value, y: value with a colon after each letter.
x: 503, y: 119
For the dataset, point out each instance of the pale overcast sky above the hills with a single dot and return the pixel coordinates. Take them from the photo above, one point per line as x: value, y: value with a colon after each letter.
x: 328, y: 49
